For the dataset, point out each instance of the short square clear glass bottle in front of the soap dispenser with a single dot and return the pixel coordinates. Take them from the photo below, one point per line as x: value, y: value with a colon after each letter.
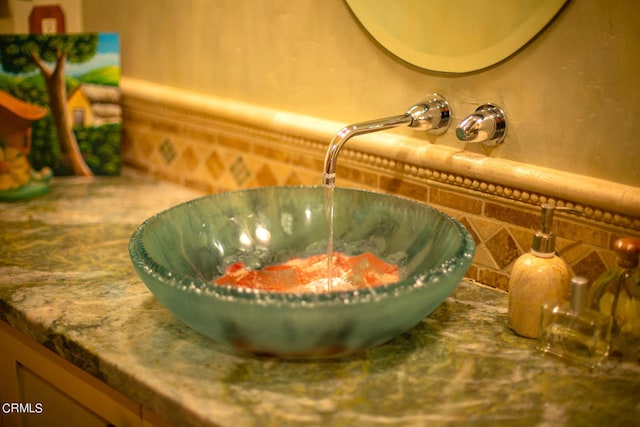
x: 573, y: 332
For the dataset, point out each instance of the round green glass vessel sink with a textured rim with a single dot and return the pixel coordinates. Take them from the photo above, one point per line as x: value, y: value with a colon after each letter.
x: 180, y: 252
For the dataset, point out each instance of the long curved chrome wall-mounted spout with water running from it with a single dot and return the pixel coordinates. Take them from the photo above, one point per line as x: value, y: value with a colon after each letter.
x: 432, y: 115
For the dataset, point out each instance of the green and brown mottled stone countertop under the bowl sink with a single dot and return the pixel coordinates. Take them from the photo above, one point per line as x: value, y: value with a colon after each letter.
x: 66, y: 280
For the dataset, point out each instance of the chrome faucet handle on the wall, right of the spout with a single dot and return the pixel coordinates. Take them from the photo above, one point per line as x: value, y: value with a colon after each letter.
x: 488, y: 125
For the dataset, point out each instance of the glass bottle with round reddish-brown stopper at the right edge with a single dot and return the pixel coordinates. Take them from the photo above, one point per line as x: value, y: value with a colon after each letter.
x: 617, y: 293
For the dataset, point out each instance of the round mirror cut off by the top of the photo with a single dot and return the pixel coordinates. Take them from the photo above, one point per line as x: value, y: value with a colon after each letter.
x: 454, y: 36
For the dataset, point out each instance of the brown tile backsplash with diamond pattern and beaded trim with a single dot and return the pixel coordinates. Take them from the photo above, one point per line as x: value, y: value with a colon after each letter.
x: 215, y: 154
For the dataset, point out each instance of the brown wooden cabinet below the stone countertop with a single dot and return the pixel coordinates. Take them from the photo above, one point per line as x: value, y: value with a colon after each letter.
x: 39, y: 388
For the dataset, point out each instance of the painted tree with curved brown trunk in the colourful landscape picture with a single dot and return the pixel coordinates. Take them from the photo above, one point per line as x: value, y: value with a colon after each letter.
x: 48, y: 54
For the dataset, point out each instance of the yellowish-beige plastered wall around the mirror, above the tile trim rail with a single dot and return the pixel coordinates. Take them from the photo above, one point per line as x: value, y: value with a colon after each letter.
x: 572, y: 95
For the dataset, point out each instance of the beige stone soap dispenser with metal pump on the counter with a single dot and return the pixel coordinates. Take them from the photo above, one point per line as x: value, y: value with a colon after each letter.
x: 537, y: 277
